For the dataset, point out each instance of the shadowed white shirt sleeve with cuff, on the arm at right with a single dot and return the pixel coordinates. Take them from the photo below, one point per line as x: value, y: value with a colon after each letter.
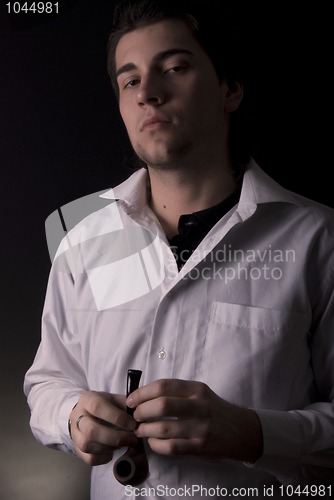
x: 299, y: 444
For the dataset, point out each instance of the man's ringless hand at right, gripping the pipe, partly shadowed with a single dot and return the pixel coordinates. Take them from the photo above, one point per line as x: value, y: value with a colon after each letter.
x: 202, y: 423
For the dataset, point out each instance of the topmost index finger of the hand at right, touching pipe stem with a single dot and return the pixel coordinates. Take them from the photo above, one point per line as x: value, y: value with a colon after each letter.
x: 163, y: 387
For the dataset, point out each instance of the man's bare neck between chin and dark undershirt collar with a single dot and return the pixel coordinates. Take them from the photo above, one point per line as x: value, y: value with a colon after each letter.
x: 176, y: 192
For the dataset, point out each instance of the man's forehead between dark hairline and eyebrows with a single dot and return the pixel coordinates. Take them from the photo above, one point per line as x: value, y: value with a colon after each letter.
x: 140, y: 45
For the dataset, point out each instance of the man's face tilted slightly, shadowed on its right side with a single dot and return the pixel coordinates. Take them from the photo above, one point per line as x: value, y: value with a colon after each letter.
x: 171, y: 101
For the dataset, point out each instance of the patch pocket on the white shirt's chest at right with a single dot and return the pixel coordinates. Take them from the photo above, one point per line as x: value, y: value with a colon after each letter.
x: 251, y: 353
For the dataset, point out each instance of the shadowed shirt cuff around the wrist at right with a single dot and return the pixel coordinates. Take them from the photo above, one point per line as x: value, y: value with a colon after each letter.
x: 282, y: 442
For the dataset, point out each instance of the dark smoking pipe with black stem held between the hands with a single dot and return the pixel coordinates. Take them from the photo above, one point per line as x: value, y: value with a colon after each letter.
x: 132, y: 467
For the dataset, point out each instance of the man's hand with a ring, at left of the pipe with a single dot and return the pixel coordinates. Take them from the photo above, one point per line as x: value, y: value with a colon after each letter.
x: 103, y: 428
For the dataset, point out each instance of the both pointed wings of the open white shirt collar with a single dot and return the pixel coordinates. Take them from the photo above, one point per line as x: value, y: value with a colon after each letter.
x: 257, y: 188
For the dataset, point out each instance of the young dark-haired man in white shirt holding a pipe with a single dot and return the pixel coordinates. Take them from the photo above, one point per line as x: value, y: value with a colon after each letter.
x: 232, y: 330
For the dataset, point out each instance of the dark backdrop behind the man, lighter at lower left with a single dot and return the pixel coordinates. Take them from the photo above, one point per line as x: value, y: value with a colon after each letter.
x: 62, y: 138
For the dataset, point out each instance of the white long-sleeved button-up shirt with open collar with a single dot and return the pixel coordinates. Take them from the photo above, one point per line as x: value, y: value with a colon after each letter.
x: 250, y: 314
